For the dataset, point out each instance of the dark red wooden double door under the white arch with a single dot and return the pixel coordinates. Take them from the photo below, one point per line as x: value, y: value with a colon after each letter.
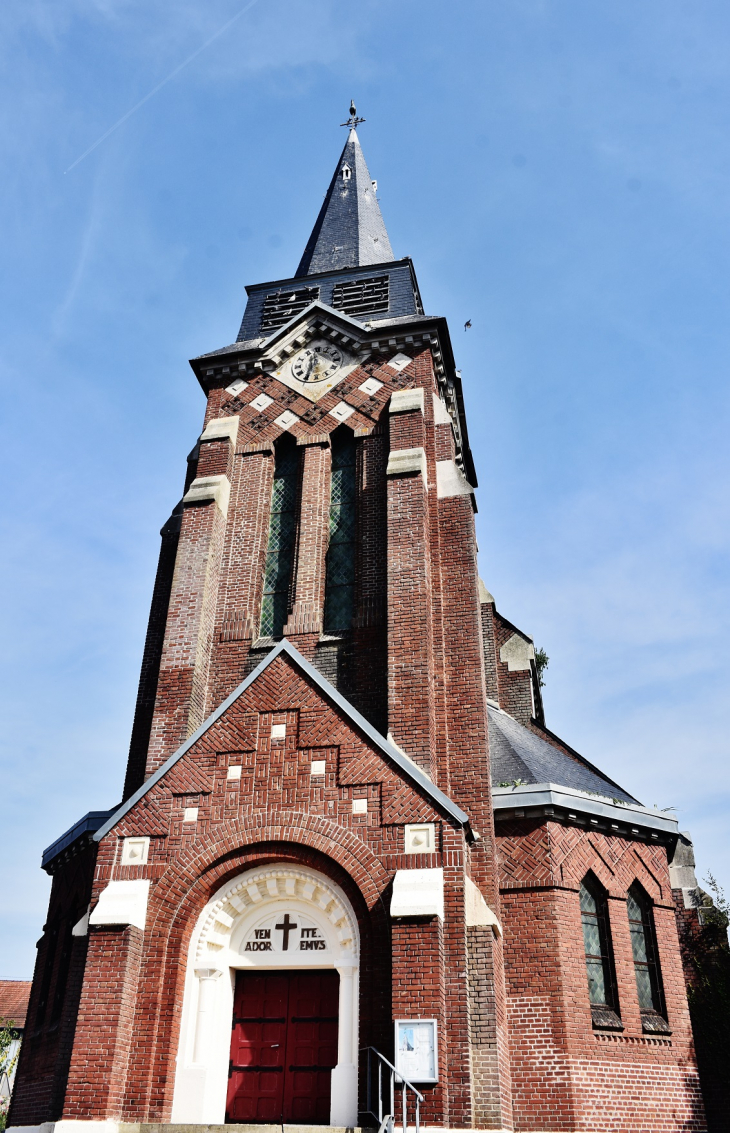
x: 284, y: 1047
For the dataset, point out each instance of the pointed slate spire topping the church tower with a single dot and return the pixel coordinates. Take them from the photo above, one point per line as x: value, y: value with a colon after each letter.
x: 350, y: 232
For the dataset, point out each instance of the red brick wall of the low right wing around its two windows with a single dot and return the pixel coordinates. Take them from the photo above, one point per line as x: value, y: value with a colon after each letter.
x: 566, y: 1075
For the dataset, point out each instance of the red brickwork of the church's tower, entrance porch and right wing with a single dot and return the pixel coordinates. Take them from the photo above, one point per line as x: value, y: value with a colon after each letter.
x: 517, y: 1045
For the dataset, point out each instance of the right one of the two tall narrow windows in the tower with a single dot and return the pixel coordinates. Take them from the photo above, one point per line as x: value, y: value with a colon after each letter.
x: 339, y: 595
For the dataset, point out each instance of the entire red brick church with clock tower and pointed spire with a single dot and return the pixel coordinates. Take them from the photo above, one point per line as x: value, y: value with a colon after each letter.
x: 349, y: 841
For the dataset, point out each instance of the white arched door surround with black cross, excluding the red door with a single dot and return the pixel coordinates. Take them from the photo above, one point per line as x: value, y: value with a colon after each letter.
x: 235, y: 933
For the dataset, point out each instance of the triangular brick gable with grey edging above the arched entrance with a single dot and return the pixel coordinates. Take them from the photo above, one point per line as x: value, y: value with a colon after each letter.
x: 311, y: 721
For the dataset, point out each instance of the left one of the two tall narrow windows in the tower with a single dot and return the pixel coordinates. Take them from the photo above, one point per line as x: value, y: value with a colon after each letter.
x: 283, y: 538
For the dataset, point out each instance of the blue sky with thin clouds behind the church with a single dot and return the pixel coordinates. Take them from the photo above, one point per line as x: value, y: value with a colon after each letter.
x: 559, y: 173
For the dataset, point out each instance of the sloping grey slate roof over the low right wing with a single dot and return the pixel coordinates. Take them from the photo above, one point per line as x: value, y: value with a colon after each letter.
x: 519, y: 754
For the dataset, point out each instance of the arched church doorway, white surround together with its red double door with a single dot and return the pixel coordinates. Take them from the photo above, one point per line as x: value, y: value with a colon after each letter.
x: 271, y: 1003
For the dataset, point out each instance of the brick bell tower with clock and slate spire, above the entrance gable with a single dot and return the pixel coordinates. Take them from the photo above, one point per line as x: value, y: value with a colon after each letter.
x: 329, y: 504
